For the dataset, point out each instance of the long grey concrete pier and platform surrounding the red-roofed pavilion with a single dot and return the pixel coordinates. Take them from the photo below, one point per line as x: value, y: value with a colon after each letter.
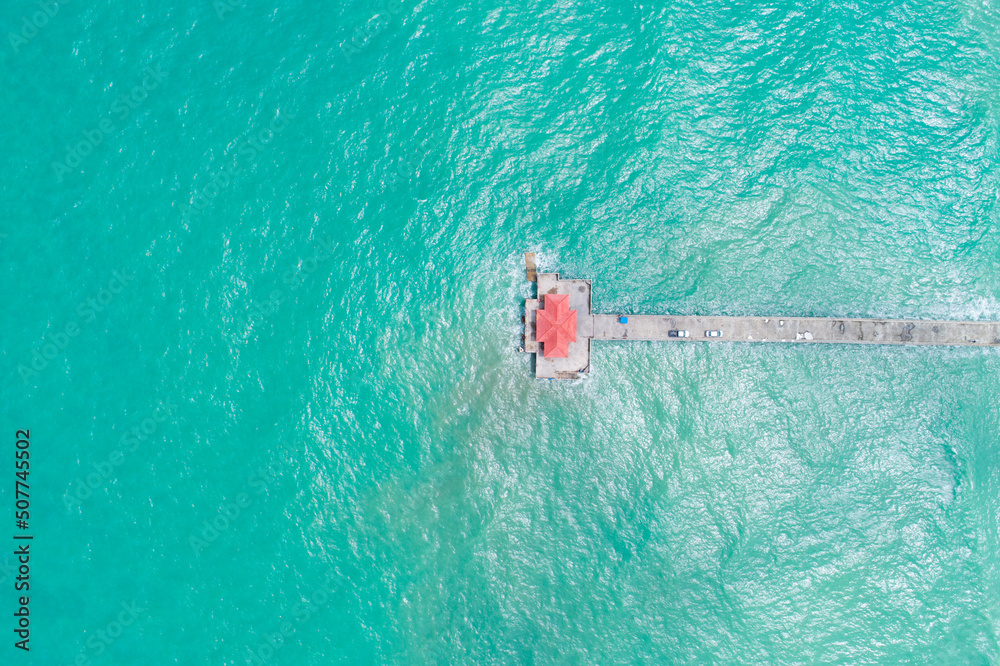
x: 675, y: 328
